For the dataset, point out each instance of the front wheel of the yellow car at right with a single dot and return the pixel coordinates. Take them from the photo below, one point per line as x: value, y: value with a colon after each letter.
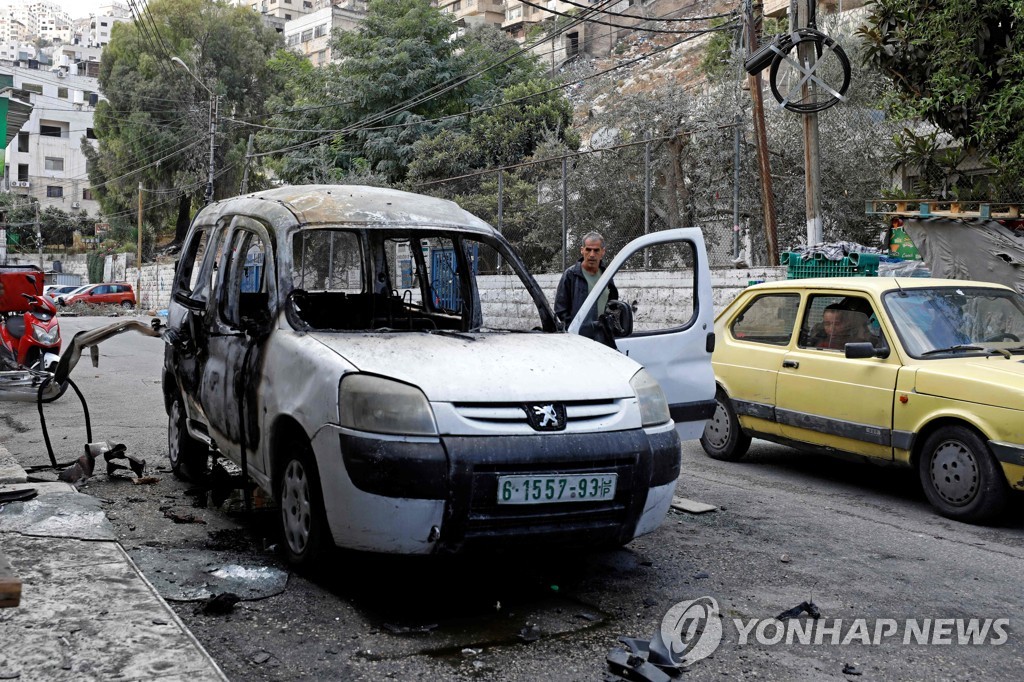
x: 961, y: 478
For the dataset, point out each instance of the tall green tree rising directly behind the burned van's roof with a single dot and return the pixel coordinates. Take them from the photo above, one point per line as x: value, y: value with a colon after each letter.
x: 366, y: 112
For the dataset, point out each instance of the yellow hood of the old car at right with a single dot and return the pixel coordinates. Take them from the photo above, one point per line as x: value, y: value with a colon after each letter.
x: 993, y: 380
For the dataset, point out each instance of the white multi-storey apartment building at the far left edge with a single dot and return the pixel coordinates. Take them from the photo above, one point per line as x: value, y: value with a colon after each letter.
x: 46, y: 159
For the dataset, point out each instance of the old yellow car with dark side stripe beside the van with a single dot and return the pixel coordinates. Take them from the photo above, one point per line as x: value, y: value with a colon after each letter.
x: 925, y: 373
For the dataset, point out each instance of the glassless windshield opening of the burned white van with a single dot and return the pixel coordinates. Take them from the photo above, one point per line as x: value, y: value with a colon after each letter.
x: 430, y: 281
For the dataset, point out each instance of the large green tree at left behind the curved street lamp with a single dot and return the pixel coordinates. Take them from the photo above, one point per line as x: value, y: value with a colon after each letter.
x: 154, y: 124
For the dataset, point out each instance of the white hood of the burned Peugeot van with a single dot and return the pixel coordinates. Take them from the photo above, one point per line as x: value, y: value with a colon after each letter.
x: 491, y: 368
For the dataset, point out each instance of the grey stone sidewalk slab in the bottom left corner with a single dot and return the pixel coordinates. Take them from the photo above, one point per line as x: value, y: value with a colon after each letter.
x: 87, y: 612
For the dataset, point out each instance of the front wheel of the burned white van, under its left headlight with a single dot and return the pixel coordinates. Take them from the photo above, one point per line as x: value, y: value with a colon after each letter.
x: 304, y: 523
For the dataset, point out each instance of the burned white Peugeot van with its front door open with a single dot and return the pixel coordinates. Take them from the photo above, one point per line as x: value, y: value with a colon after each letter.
x: 382, y: 364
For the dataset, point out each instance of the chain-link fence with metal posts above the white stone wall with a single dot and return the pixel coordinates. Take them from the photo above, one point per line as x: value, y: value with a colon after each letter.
x: 691, y: 179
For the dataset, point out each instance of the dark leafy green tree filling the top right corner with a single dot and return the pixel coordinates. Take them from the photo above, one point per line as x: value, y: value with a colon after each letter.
x: 959, y: 65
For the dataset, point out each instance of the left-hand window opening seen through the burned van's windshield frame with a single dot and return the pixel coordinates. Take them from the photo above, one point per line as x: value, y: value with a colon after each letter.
x: 327, y: 261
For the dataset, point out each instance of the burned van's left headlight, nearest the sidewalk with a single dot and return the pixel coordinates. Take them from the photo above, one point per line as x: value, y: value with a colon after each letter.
x: 382, y: 406
